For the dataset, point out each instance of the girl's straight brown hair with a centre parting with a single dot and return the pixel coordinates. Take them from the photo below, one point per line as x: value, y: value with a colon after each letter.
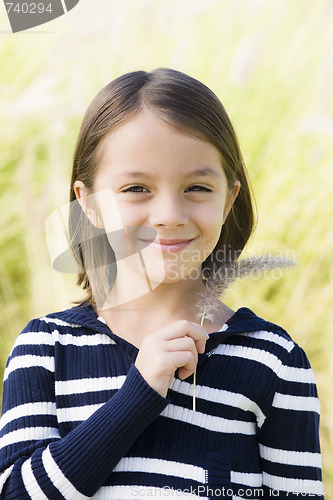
x: 186, y: 104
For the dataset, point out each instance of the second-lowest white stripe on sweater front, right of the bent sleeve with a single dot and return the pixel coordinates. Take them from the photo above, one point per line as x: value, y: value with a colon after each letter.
x: 159, y: 466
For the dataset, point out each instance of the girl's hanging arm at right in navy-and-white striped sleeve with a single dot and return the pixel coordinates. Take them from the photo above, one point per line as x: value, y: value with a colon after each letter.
x: 289, y: 438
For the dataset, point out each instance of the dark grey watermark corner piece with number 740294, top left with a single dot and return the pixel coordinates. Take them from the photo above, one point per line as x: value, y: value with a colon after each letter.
x: 24, y: 15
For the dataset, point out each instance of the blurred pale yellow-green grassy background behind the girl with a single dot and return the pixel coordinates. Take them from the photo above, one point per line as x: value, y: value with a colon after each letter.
x: 270, y: 62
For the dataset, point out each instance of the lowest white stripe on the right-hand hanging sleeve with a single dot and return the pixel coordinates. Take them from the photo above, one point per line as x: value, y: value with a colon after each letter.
x: 290, y: 485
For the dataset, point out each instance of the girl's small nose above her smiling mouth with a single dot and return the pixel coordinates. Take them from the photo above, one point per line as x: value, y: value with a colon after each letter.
x: 168, y: 211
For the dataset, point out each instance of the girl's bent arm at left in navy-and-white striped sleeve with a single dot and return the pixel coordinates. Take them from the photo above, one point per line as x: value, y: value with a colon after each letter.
x: 35, y: 462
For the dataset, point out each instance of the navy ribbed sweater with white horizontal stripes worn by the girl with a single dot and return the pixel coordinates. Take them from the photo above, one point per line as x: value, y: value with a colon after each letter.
x: 80, y: 422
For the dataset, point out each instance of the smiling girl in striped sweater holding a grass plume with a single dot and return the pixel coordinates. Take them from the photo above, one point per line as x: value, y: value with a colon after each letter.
x: 98, y: 399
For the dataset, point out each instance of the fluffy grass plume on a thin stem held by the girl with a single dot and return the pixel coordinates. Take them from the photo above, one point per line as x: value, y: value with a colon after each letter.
x: 217, y: 284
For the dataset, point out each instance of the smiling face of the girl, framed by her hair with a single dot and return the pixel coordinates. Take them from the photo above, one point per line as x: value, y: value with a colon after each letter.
x: 170, y: 191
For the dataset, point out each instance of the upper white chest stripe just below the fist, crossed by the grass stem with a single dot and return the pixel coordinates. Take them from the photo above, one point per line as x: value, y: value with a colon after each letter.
x: 221, y: 396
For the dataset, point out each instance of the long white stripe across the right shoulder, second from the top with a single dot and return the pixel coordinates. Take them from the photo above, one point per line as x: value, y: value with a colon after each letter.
x: 288, y: 373
